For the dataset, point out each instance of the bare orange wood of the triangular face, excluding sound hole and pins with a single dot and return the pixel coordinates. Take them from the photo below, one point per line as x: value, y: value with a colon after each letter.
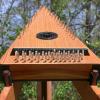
x: 46, y: 21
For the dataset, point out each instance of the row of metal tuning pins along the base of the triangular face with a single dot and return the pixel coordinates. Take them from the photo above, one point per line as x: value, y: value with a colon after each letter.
x: 50, y: 57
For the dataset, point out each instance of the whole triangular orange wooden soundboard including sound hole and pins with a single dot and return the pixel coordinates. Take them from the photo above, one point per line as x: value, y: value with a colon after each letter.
x: 46, y: 39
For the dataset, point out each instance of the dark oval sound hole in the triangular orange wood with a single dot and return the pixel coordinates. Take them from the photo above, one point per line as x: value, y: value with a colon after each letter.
x: 47, y: 35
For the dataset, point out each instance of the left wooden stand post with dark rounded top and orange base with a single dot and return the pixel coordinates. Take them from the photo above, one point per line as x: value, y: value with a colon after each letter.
x: 8, y: 91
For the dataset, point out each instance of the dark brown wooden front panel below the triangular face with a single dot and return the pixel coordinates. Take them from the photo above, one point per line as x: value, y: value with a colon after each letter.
x: 50, y: 72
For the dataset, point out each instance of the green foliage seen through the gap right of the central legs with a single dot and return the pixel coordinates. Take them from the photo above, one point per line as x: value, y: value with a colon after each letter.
x: 64, y: 90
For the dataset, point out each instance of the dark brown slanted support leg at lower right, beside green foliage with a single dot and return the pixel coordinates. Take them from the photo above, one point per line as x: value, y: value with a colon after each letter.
x: 85, y: 90
